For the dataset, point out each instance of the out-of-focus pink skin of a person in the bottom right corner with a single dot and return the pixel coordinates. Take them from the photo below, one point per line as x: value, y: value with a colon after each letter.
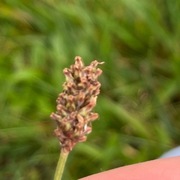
x: 160, y: 169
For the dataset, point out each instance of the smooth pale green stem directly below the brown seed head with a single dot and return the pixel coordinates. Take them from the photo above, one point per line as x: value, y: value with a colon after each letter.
x: 60, y: 165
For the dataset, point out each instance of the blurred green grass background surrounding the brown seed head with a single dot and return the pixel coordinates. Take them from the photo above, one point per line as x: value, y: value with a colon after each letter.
x: 139, y: 104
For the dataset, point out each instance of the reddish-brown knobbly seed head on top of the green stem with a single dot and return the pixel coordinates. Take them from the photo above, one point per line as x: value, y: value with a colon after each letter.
x: 74, y: 105
